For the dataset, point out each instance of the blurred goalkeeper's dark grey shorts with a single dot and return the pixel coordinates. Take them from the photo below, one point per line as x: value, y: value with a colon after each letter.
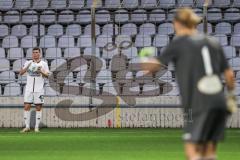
x: 206, y: 126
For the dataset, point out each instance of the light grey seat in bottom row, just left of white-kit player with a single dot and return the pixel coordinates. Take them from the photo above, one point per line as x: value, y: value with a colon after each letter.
x: 12, y: 89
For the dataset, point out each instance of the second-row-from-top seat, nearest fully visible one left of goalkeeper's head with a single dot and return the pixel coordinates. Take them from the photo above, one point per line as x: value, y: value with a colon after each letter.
x: 157, y: 15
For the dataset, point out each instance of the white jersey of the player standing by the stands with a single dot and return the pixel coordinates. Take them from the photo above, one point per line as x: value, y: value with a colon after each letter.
x: 35, y: 80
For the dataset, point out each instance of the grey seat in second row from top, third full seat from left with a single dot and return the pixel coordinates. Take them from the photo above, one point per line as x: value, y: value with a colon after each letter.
x: 48, y: 17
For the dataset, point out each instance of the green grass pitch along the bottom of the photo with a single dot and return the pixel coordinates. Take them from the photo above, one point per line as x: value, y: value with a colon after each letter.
x: 104, y: 144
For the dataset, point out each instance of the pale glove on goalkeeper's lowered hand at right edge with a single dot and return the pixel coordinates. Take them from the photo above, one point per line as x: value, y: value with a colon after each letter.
x: 231, y: 102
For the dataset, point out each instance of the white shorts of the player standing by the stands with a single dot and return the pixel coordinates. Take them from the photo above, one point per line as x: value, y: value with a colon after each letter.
x: 34, y: 97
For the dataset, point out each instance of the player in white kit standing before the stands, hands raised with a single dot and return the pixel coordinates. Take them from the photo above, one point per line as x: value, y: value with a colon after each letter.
x: 36, y: 70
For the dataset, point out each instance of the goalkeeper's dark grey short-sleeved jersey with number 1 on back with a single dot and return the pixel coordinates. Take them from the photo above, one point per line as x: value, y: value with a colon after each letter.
x: 185, y: 53
